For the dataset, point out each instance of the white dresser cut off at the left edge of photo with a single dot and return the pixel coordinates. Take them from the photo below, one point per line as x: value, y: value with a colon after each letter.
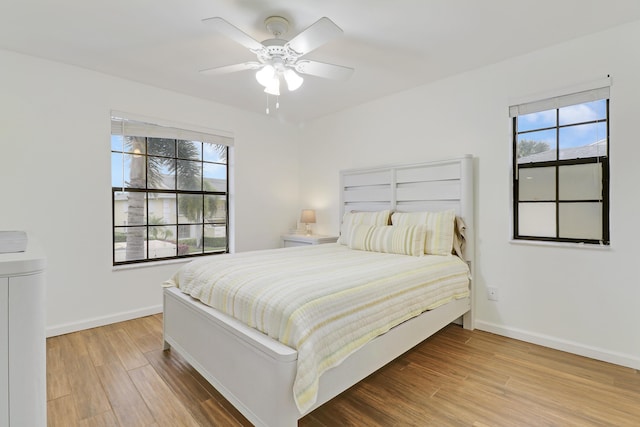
x: 23, y: 393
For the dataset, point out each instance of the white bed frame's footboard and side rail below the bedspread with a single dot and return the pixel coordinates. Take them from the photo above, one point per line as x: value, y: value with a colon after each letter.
x: 256, y: 373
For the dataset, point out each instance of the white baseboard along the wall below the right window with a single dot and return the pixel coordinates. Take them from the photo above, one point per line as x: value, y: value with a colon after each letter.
x: 560, y: 344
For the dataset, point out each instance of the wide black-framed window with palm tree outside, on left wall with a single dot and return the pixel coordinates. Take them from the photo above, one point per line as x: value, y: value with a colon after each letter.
x: 169, y: 192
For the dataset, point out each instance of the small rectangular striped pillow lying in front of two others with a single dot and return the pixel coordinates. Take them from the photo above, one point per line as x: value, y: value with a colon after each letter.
x: 389, y: 239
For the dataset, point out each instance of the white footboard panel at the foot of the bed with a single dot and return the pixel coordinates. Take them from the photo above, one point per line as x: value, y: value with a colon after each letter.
x: 250, y: 370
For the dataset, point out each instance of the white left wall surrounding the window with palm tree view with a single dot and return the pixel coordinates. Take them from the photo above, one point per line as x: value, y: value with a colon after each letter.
x: 55, y: 181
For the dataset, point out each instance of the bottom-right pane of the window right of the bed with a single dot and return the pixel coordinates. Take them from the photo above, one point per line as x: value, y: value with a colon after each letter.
x: 581, y: 220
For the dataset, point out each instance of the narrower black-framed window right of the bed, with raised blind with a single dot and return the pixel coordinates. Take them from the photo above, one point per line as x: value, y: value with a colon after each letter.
x: 561, y: 168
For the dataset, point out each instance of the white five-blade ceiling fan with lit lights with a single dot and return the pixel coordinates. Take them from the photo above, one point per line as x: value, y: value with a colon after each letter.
x: 278, y: 58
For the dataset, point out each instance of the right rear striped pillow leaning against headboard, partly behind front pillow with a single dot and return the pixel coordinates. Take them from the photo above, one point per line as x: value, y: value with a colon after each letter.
x: 440, y: 228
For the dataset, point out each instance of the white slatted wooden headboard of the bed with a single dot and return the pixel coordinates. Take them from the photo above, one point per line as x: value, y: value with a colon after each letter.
x: 432, y: 186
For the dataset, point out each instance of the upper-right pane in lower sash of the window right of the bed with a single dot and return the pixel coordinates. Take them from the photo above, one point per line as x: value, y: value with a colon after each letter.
x: 580, y: 182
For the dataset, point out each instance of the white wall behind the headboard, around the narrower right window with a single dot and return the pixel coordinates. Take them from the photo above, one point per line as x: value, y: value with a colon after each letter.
x: 581, y: 300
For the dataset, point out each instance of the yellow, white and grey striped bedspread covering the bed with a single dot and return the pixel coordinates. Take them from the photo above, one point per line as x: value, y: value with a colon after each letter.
x: 325, y: 301
